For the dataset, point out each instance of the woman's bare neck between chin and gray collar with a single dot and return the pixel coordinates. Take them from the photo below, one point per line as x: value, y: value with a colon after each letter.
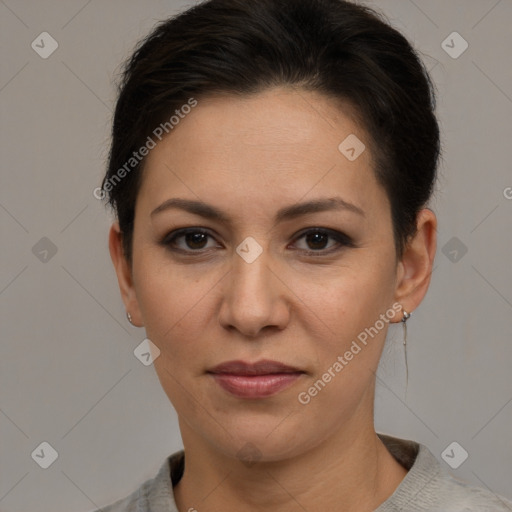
x: 350, y: 471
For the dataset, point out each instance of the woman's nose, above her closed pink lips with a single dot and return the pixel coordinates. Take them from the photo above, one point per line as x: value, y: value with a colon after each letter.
x: 255, y: 300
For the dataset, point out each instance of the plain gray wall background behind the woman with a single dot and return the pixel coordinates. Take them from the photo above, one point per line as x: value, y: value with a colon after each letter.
x: 68, y: 374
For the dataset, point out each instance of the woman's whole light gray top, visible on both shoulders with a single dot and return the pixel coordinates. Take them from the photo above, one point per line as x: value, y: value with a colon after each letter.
x: 427, y: 486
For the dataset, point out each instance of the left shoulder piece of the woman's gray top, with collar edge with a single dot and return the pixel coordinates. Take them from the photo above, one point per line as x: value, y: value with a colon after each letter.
x: 155, y: 494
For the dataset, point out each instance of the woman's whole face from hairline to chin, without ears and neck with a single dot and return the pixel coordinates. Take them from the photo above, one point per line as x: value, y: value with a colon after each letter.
x: 264, y: 279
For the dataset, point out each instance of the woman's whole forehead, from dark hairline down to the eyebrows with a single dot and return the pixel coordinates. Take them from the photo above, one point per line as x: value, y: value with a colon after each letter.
x: 276, y: 146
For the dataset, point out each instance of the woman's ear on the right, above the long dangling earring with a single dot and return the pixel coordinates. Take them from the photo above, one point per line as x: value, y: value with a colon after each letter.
x: 415, y: 268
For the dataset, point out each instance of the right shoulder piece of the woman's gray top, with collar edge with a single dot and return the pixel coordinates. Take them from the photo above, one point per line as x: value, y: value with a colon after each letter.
x: 430, y: 487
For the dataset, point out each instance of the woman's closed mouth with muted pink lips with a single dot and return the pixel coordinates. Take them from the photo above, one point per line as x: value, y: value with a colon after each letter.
x: 254, y: 380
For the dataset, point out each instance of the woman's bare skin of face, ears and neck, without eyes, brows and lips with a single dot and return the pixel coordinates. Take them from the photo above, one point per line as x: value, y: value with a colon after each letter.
x: 250, y: 156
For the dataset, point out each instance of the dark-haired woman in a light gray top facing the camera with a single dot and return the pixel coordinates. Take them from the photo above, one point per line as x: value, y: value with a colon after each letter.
x: 270, y: 168
